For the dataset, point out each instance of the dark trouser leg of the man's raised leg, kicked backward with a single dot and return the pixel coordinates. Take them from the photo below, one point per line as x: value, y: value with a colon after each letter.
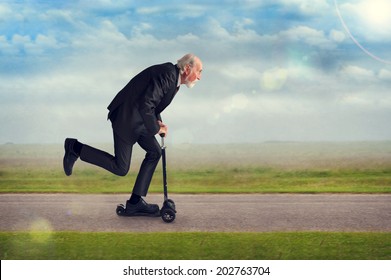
x: 118, y: 164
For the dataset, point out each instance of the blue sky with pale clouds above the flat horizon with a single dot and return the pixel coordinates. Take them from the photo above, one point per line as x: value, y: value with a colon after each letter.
x: 273, y: 70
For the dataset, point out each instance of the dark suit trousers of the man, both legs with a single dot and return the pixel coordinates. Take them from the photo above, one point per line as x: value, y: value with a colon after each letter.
x: 119, y: 164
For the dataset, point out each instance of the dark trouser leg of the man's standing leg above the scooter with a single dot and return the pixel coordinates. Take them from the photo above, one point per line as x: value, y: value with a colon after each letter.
x: 152, y: 157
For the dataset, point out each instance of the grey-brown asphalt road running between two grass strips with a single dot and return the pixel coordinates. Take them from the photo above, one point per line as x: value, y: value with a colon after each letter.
x: 214, y: 213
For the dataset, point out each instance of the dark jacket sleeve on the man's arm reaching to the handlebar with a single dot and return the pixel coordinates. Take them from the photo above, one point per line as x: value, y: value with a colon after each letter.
x: 148, y: 103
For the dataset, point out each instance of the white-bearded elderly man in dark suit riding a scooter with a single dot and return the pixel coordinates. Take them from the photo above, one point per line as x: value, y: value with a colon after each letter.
x: 135, y: 117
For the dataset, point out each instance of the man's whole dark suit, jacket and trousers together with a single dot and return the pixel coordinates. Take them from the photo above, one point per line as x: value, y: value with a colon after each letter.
x: 134, y: 114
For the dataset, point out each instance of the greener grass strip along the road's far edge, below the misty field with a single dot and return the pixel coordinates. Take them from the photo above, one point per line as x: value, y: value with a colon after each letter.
x: 202, y: 180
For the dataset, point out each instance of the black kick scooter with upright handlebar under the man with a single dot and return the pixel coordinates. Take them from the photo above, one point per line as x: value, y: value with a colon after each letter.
x: 168, y: 211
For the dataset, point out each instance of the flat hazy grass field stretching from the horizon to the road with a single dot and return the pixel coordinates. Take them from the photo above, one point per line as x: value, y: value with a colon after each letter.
x: 272, y: 167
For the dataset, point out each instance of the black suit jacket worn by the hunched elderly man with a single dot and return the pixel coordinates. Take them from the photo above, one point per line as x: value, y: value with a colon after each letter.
x: 138, y: 105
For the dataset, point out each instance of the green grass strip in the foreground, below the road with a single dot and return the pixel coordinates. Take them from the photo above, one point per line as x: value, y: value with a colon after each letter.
x: 183, y: 246
